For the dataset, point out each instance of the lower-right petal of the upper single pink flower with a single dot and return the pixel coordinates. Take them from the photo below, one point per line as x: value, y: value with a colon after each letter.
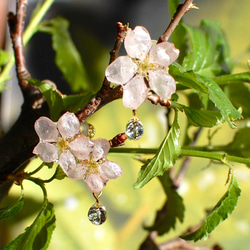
x: 162, y: 83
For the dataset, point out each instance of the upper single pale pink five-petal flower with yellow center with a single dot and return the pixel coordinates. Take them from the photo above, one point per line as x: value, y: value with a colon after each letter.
x: 144, y: 61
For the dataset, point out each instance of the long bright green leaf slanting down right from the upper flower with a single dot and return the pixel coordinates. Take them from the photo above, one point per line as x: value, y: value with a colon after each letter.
x: 207, y: 86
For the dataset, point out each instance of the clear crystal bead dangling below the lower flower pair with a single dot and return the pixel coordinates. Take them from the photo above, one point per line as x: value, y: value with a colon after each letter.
x: 97, y: 214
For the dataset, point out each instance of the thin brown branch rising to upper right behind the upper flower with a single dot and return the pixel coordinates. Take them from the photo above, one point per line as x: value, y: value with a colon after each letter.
x: 181, y: 10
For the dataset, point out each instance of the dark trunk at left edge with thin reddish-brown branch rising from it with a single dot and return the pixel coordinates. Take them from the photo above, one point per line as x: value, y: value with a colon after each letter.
x: 17, y: 145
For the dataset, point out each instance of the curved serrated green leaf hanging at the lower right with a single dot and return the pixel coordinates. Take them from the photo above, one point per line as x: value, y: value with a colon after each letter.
x: 219, y: 213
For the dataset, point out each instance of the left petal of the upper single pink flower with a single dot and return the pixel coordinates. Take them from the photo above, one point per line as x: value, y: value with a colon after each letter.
x: 121, y: 70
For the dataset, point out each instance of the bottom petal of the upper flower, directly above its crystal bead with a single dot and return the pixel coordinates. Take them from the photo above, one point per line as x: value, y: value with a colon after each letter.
x: 134, y: 92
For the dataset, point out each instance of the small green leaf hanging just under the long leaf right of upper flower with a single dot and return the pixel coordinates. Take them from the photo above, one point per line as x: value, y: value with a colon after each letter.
x: 203, y: 118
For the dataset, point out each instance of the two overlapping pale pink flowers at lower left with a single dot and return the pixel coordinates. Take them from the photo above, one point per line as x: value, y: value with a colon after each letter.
x: 79, y: 156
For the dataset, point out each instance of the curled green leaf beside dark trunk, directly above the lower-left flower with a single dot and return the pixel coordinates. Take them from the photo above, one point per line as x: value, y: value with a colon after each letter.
x: 53, y: 98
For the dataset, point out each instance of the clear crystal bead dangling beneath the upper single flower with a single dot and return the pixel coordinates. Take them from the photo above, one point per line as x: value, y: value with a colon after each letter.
x: 134, y: 129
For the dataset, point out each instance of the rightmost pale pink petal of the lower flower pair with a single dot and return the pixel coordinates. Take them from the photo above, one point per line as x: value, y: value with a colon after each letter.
x: 110, y: 169
